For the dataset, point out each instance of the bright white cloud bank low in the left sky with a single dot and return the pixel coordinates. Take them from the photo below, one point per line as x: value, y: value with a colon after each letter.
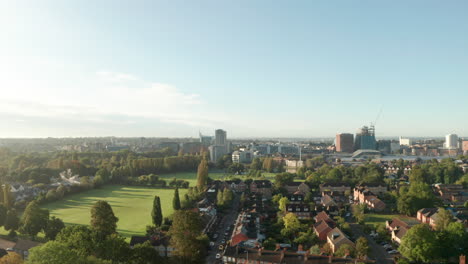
x: 102, y: 97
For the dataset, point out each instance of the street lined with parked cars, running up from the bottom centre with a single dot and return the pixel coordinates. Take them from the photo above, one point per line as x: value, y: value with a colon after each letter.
x: 227, y: 221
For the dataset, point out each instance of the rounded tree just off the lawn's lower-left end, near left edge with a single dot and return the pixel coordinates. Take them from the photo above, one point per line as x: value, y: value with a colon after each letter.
x: 34, y: 219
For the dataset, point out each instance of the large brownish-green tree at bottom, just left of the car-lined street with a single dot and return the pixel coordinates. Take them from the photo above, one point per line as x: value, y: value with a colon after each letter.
x: 186, y: 237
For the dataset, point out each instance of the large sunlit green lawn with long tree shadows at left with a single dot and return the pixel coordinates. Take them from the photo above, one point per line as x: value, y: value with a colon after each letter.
x: 132, y: 205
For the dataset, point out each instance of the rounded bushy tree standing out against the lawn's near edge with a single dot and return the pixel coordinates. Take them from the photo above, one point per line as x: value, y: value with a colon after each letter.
x: 103, y: 220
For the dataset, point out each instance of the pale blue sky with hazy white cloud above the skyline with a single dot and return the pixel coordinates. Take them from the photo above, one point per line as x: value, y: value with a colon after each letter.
x: 254, y: 68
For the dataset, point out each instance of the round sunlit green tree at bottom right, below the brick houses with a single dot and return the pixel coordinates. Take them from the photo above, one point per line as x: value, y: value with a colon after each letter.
x: 418, y: 244
